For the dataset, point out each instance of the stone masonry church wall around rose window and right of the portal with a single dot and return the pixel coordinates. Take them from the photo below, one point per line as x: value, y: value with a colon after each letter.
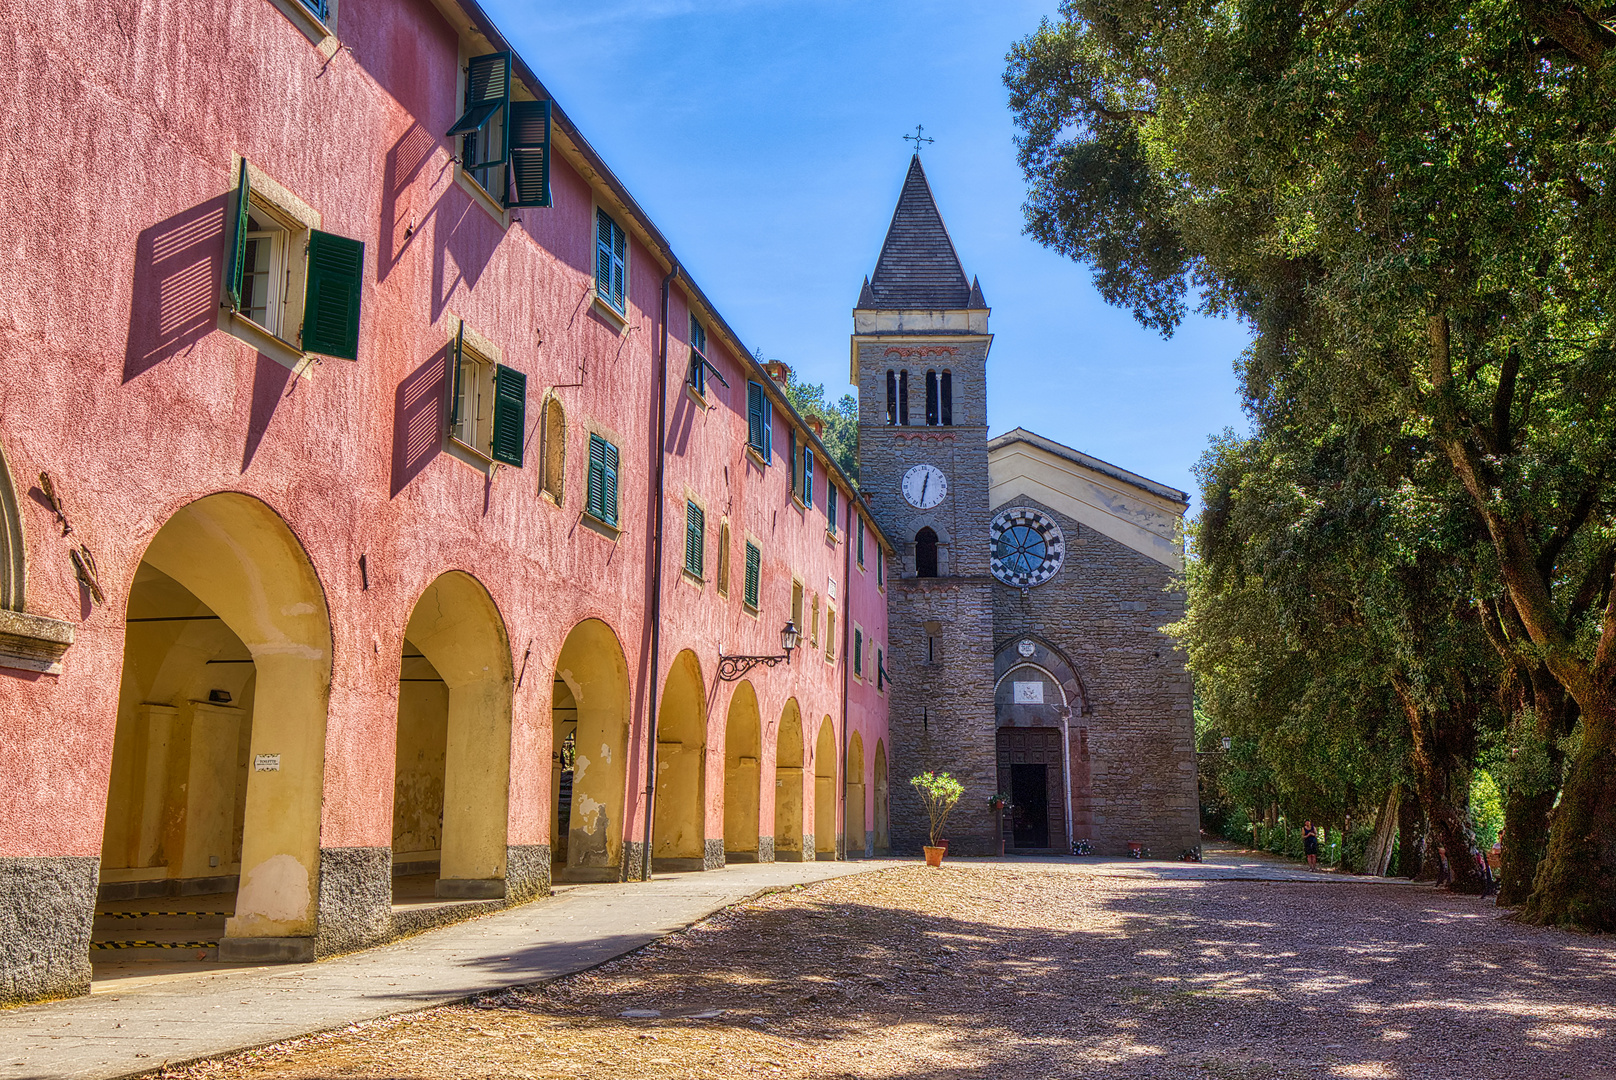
x: 1103, y: 612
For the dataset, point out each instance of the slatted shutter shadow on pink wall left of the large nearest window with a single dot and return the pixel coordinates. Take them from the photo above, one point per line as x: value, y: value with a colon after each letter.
x: 179, y: 268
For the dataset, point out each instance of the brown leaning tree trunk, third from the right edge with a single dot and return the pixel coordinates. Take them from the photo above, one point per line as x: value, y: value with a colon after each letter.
x: 1444, y: 743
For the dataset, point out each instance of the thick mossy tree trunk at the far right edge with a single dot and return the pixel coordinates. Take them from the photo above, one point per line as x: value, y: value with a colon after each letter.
x: 1576, y: 882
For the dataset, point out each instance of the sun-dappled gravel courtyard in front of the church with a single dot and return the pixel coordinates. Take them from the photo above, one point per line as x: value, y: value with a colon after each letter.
x: 1011, y: 971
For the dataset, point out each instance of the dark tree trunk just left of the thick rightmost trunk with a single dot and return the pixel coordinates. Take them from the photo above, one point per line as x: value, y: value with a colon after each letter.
x: 1534, y: 787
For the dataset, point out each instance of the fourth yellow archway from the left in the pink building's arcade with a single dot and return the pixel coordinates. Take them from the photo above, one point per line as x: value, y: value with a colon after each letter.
x: 680, y: 819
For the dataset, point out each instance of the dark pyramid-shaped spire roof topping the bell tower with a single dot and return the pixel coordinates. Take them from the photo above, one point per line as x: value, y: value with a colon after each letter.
x: 919, y: 268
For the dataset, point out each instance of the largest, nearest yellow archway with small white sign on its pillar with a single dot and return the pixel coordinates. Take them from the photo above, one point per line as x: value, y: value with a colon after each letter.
x: 219, y: 753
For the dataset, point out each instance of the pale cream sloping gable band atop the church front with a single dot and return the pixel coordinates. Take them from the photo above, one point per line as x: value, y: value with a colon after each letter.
x: 1122, y: 505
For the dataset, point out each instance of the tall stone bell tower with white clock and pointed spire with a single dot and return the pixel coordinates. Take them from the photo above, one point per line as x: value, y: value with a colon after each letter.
x: 919, y: 360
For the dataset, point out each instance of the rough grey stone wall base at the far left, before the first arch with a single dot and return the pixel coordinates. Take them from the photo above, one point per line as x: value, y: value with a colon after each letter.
x: 48, y: 908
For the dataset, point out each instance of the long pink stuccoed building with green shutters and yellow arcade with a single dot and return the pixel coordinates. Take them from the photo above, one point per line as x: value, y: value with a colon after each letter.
x: 389, y: 526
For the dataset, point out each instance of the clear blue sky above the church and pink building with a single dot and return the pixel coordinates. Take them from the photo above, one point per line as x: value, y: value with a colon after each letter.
x: 765, y: 140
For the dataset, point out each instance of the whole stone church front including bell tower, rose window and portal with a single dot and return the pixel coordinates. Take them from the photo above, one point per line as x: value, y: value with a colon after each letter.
x: 1025, y: 612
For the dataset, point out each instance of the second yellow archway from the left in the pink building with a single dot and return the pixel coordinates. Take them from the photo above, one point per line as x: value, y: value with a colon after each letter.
x: 452, y: 780
